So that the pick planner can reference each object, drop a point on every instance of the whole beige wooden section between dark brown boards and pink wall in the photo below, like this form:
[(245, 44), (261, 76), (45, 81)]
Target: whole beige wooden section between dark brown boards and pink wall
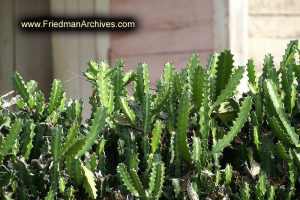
[(72, 51)]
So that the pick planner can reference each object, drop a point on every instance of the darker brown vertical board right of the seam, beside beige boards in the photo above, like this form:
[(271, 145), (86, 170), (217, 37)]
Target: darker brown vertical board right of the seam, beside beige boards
[(33, 49)]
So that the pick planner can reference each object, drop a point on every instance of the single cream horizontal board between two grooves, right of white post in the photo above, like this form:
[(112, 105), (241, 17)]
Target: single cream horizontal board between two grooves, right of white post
[(274, 26)]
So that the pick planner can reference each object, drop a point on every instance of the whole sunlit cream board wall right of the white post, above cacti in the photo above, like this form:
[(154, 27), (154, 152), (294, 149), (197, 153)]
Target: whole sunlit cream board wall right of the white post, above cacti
[(272, 24)]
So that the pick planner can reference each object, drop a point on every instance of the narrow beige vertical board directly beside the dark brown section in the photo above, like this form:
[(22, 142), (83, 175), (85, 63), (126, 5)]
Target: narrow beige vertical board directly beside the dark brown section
[(66, 50)]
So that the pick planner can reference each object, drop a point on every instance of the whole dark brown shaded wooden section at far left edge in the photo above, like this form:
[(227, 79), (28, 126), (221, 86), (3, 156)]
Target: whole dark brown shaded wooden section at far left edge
[(27, 53)]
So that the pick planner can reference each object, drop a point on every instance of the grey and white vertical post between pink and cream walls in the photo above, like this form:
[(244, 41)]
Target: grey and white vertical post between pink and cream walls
[(231, 28)]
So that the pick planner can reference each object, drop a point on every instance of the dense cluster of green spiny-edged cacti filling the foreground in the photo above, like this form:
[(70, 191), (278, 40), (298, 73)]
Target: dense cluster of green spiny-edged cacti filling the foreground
[(193, 137)]
